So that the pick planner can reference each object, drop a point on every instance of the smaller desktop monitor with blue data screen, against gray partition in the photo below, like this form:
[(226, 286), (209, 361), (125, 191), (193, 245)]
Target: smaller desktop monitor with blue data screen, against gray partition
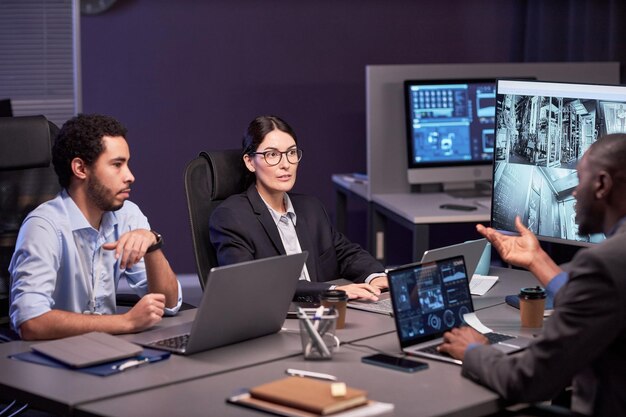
[(450, 131)]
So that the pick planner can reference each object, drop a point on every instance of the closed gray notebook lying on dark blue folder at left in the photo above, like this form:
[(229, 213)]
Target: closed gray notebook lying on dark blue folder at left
[(87, 349)]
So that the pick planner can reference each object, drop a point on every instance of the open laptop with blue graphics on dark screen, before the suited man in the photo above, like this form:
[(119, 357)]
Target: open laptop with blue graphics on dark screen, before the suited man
[(431, 298)]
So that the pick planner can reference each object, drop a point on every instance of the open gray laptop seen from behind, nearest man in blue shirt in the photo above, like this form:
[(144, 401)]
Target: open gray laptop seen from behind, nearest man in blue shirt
[(240, 301)]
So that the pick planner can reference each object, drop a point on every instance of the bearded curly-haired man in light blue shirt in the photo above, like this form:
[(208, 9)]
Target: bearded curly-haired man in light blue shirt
[(72, 250)]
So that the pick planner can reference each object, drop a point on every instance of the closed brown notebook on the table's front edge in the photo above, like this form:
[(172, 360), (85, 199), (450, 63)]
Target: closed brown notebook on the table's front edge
[(308, 394)]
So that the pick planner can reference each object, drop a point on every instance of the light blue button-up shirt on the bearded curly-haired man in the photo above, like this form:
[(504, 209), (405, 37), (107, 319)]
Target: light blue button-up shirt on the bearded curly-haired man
[(59, 263)]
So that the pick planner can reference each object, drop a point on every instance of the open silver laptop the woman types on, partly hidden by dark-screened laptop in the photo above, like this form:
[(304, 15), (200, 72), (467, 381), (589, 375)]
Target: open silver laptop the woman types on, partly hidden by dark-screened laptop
[(472, 251)]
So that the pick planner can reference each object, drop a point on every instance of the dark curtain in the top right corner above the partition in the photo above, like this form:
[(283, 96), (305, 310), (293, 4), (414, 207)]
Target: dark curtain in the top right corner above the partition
[(575, 30)]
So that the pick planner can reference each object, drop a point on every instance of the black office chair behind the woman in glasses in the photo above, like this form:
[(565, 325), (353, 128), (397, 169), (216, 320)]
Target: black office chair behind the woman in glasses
[(210, 178)]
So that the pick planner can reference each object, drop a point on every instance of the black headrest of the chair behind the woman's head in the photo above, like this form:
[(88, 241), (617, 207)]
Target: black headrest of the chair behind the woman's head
[(230, 175)]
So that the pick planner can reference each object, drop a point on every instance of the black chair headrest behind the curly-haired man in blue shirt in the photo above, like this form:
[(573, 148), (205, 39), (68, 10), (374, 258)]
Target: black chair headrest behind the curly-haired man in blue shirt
[(24, 142)]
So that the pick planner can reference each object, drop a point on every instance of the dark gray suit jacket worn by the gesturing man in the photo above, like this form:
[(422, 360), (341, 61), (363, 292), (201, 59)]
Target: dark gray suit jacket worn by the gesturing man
[(583, 342)]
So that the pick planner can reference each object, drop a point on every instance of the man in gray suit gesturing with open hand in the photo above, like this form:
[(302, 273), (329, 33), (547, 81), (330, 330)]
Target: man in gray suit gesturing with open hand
[(584, 341)]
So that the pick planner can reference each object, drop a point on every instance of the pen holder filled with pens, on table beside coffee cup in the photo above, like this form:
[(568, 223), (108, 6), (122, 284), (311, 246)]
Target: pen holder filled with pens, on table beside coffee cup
[(317, 332)]
